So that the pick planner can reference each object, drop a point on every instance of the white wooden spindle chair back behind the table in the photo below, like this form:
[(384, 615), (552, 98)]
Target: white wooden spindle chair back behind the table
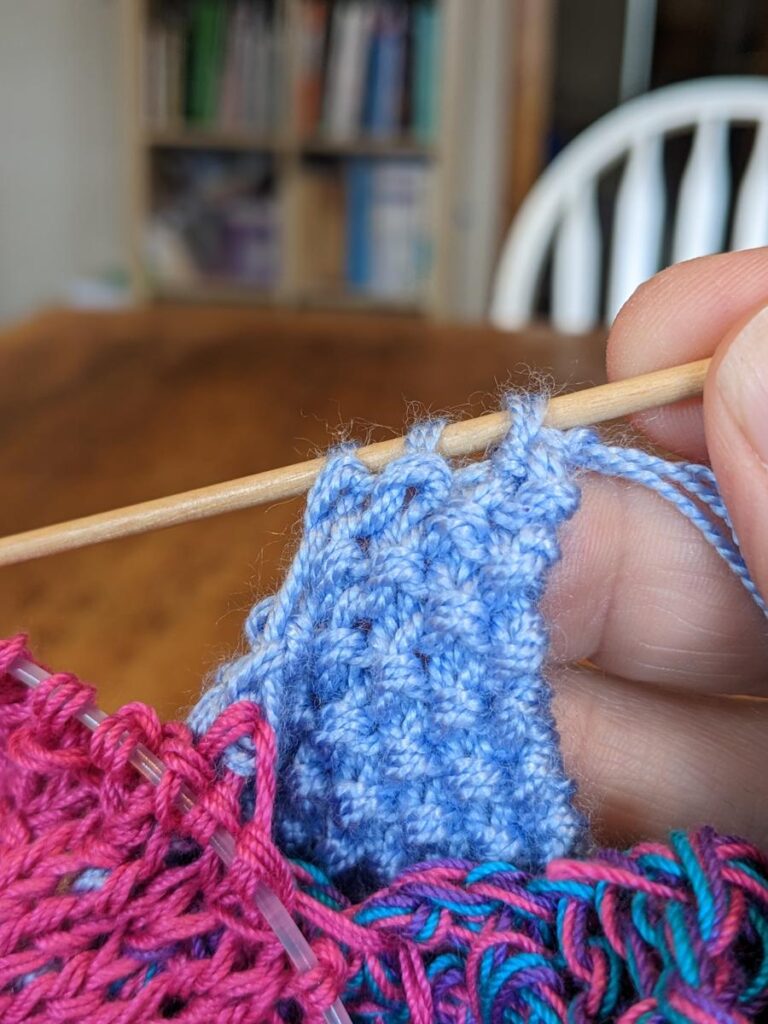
[(561, 215)]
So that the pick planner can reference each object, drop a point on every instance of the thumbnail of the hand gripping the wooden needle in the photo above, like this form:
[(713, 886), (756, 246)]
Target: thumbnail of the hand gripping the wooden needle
[(743, 382)]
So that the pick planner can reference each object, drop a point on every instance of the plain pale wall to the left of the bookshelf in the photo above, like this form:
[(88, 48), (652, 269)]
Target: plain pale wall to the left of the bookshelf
[(62, 173)]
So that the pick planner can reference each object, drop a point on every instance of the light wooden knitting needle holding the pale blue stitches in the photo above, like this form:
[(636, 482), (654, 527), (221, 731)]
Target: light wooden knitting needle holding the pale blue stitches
[(609, 402)]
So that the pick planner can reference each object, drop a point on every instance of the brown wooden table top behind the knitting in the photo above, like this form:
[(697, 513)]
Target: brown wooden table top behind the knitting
[(100, 410)]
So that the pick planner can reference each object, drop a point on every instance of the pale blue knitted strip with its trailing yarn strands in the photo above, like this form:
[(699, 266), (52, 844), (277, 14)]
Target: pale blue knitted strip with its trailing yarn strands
[(402, 662)]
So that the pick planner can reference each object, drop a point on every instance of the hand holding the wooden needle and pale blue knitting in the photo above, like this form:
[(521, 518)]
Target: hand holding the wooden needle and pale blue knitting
[(672, 731)]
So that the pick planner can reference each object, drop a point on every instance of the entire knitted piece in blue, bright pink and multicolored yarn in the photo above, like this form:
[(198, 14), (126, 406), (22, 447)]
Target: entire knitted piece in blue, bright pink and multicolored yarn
[(385, 757)]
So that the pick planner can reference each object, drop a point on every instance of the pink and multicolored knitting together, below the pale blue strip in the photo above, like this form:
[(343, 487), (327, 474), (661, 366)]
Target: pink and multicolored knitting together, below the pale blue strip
[(114, 910)]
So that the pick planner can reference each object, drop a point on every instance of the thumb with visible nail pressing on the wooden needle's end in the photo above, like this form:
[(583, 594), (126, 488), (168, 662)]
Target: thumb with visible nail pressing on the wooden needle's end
[(737, 426)]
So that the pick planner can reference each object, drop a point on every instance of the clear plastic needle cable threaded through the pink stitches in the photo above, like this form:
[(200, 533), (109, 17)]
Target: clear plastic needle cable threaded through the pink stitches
[(273, 911)]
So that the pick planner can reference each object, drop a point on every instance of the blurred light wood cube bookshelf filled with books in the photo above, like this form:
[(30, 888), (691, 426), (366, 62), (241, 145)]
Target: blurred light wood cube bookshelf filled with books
[(301, 153)]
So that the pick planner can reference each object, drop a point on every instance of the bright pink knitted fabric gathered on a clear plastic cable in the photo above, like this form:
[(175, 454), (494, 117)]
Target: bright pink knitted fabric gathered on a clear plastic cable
[(72, 804)]
